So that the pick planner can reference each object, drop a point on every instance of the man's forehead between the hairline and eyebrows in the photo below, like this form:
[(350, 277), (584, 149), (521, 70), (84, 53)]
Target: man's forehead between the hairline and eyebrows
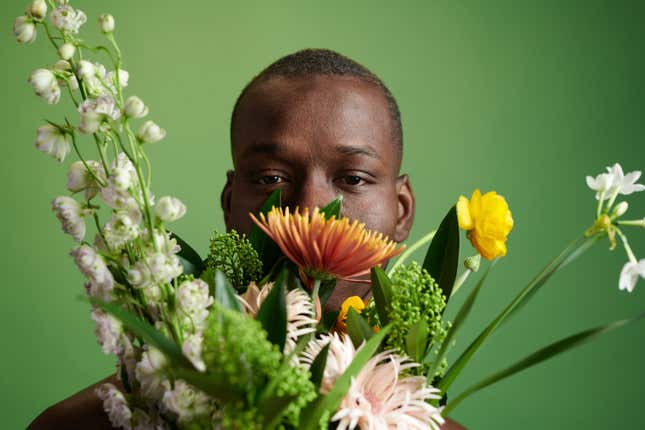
[(347, 114)]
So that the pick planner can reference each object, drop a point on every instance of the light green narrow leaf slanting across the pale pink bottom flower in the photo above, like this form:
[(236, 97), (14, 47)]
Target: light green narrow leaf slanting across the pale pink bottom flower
[(310, 416)]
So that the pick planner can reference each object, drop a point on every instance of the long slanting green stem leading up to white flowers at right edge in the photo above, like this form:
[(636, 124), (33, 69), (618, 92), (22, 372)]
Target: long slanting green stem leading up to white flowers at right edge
[(520, 299)]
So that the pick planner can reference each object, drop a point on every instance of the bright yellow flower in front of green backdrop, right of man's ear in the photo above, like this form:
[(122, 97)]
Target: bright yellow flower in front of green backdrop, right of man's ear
[(488, 221)]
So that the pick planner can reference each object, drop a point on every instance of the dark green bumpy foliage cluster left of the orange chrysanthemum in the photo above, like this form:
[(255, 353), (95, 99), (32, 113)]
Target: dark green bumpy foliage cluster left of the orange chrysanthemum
[(234, 256)]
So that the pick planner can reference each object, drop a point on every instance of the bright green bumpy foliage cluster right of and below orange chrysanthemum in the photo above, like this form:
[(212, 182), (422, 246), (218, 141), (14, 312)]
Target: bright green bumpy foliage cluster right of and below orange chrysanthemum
[(415, 297)]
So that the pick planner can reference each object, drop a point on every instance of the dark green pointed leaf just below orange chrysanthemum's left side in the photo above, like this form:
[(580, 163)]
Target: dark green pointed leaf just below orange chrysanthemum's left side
[(273, 312)]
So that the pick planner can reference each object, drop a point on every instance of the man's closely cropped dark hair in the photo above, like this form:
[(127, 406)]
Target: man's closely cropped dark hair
[(309, 62)]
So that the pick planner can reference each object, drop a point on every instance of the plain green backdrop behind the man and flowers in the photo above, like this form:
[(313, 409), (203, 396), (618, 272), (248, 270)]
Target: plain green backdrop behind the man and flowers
[(525, 98)]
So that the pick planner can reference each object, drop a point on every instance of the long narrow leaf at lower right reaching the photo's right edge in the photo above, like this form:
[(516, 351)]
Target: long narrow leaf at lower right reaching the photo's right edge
[(541, 355)]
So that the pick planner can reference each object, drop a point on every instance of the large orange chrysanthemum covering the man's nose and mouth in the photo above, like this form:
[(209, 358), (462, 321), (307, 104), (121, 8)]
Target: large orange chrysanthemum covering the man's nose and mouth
[(324, 248)]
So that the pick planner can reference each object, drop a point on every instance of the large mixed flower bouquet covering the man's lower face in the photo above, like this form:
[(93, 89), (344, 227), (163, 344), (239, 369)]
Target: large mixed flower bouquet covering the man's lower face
[(239, 339)]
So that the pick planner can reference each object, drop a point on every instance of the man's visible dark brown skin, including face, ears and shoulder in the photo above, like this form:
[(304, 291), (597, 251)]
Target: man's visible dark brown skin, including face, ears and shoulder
[(315, 138)]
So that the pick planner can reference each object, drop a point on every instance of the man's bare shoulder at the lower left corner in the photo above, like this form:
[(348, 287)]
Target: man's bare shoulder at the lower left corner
[(82, 410)]
